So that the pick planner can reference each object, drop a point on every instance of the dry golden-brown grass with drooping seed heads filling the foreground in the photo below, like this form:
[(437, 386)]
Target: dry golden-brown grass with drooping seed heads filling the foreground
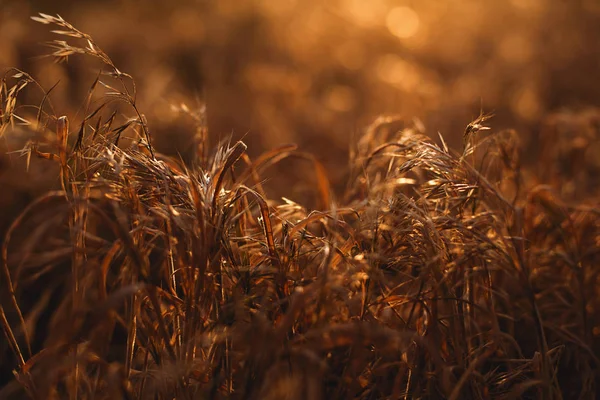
[(435, 275)]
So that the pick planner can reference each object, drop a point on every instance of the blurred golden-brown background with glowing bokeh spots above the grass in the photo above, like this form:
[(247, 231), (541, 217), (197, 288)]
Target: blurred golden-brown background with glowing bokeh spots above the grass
[(316, 73)]
